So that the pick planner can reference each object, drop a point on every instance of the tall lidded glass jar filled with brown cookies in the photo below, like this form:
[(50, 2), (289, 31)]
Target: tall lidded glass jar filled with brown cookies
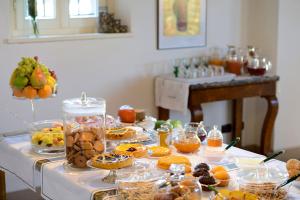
[(84, 129)]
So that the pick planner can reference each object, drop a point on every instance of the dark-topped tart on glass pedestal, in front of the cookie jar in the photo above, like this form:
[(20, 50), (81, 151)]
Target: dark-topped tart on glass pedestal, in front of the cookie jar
[(111, 161)]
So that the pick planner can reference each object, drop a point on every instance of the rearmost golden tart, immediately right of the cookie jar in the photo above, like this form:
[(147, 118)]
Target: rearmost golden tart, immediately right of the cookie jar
[(120, 133)]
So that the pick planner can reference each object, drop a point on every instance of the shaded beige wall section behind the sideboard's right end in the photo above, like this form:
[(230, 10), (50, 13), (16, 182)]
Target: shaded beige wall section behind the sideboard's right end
[(259, 29)]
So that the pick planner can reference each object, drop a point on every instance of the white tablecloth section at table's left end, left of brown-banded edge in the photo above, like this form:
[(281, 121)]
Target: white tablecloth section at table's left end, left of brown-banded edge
[(17, 157)]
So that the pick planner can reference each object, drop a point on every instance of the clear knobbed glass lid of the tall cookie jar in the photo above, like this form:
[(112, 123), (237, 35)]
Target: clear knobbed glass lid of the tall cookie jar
[(84, 106)]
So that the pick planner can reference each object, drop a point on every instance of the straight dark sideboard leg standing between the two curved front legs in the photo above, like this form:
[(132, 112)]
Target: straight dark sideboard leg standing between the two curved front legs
[(237, 120)]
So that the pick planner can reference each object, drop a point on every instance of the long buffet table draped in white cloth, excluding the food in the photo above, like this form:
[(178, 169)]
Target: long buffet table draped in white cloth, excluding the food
[(58, 181)]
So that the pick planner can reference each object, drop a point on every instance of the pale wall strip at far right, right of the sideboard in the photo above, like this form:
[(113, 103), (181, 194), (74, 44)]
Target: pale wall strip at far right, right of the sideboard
[(287, 125)]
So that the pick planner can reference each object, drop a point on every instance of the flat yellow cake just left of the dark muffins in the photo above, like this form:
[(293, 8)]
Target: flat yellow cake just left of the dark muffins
[(166, 161)]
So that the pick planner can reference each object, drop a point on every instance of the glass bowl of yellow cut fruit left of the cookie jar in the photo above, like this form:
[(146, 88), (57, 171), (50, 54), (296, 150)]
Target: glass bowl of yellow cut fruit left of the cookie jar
[(47, 137)]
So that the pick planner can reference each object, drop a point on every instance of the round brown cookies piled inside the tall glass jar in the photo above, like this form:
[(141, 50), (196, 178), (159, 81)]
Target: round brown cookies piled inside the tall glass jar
[(82, 144)]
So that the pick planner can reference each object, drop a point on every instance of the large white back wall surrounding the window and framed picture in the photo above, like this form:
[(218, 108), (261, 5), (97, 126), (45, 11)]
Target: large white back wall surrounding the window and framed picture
[(119, 70)]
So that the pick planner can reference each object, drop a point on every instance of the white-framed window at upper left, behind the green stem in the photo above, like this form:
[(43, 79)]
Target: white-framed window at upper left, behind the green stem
[(56, 17)]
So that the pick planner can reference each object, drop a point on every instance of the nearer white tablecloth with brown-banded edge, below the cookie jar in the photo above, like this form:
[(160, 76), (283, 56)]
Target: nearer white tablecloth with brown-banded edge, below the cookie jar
[(60, 182)]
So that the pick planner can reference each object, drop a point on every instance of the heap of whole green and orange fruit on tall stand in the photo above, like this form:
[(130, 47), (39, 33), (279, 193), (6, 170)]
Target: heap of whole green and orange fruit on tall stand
[(33, 80)]
